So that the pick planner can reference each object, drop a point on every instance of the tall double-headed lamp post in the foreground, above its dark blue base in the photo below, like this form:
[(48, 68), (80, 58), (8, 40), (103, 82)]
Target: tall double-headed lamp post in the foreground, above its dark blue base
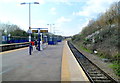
[(29, 30)]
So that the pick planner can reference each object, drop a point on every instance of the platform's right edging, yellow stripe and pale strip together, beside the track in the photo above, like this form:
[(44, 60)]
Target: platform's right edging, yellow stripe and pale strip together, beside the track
[(71, 70)]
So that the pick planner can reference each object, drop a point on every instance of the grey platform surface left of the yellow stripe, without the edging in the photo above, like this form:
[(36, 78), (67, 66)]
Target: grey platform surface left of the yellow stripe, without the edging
[(40, 66)]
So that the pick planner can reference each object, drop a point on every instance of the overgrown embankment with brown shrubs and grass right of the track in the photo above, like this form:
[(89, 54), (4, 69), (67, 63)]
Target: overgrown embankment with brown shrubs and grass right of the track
[(102, 37)]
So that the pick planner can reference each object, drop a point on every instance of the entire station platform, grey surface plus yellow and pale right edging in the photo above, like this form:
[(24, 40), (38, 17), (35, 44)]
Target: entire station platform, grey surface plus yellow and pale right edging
[(54, 63)]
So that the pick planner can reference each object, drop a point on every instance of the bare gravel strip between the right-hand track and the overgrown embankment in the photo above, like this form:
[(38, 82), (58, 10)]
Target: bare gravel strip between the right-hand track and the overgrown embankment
[(100, 63)]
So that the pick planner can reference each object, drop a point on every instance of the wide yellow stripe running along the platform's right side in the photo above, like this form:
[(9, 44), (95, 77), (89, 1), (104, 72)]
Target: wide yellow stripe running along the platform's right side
[(65, 73)]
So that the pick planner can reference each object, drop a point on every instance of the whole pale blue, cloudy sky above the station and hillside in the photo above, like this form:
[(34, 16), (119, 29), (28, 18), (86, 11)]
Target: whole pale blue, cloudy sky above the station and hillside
[(69, 16)]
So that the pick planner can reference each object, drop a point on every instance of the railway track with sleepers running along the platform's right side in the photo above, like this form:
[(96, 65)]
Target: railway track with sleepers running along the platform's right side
[(94, 73)]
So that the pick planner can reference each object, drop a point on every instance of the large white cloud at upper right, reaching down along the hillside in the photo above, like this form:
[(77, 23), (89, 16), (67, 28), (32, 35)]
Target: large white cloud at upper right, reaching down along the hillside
[(91, 9)]
